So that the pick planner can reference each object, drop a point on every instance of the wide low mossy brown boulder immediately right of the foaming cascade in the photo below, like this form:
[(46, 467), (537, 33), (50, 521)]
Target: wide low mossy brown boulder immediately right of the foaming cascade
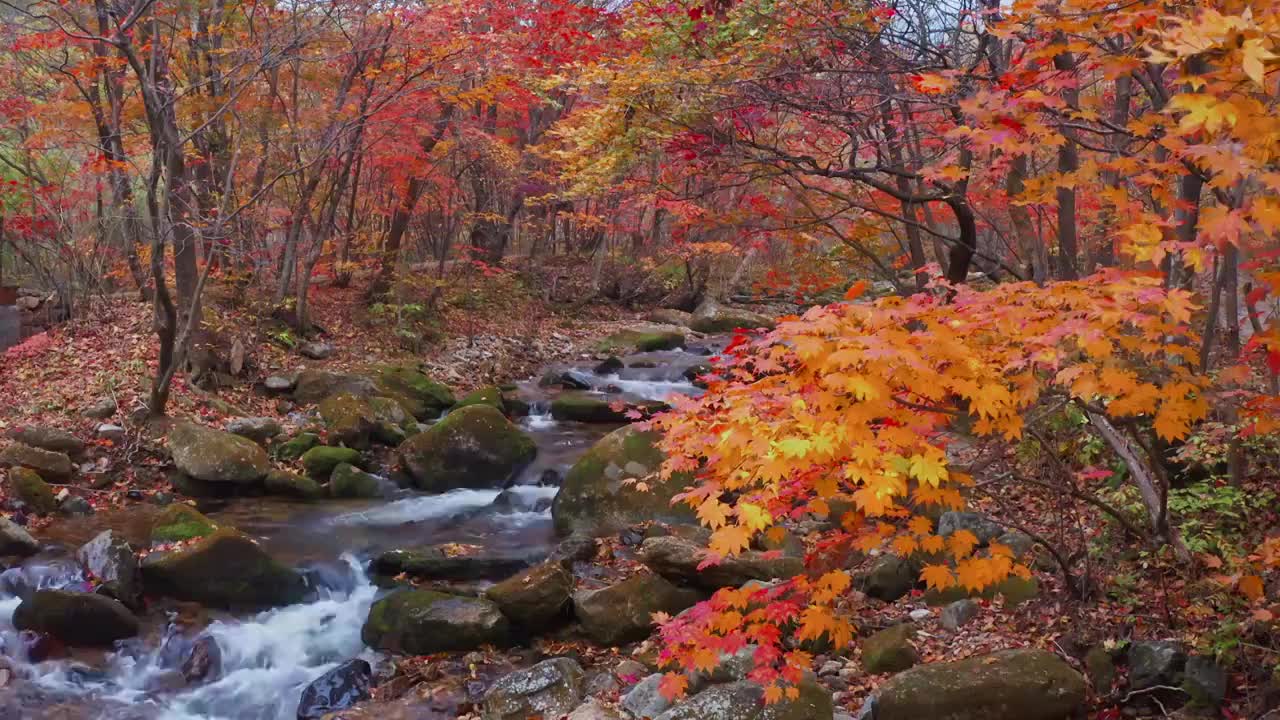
[(418, 622)]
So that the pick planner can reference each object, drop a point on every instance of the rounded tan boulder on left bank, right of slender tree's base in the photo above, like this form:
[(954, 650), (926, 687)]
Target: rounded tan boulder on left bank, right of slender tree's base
[(217, 457)]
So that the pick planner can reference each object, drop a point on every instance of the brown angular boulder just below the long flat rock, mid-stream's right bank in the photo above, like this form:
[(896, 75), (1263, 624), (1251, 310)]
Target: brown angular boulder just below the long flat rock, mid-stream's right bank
[(624, 613)]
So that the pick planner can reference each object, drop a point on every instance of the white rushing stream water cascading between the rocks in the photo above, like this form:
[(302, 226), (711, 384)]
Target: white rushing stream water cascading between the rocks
[(269, 658)]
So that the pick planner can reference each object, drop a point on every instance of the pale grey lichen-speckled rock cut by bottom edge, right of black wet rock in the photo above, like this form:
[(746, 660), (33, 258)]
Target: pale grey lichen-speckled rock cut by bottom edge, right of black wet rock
[(548, 690)]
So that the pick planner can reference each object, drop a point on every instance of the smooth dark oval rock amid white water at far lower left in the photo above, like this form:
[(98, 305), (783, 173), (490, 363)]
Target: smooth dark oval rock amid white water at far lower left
[(76, 618)]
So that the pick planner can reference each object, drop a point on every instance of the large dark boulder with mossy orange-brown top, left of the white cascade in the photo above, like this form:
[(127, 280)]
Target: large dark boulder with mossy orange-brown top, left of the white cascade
[(223, 569)]
